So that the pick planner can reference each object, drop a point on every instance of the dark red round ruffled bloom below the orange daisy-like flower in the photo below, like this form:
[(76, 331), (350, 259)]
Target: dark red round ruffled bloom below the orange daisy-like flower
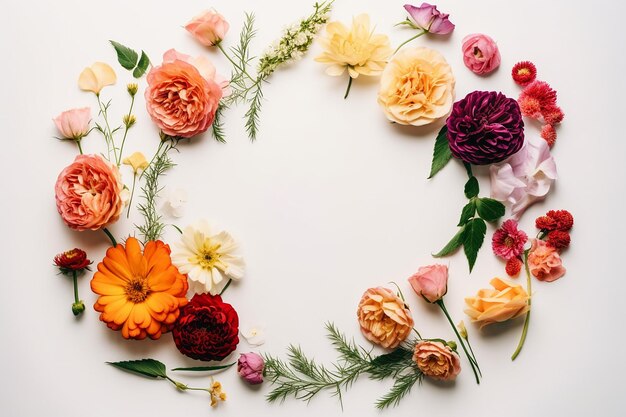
[(207, 329)]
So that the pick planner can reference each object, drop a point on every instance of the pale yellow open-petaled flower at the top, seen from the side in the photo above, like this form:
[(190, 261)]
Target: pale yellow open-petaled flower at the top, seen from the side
[(358, 49)]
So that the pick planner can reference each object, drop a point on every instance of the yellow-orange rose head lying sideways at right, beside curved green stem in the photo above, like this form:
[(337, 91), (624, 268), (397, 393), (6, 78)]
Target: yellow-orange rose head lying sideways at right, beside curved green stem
[(505, 302)]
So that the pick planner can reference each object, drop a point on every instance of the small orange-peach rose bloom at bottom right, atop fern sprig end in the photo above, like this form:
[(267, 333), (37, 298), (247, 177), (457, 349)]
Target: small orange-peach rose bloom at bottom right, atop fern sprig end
[(436, 360)]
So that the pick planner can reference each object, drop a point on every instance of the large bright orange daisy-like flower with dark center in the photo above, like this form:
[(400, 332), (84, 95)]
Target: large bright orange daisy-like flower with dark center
[(140, 293)]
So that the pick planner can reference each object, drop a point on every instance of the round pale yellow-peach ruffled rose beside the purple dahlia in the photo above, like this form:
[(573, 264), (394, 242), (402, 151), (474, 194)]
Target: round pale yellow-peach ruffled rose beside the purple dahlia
[(416, 87)]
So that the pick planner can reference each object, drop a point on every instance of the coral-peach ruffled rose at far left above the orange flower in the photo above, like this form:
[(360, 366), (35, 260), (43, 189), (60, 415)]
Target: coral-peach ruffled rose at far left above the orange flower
[(89, 193)]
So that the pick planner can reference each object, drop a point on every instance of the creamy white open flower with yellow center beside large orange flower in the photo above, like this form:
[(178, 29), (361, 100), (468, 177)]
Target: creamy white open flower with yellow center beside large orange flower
[(205, 254)]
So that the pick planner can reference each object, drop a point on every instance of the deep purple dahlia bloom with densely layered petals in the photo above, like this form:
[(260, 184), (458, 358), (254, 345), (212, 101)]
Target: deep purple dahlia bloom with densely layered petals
[(485, 127)]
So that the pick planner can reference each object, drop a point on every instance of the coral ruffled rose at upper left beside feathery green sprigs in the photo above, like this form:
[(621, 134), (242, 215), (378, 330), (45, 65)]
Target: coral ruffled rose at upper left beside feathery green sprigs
[(183, 94)]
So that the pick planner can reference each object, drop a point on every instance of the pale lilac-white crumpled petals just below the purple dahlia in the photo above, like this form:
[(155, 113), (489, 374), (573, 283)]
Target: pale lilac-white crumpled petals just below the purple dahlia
[(524, 178)]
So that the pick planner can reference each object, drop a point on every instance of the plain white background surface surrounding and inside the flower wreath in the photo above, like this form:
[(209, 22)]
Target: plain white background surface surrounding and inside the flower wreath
[(330, 200)]
